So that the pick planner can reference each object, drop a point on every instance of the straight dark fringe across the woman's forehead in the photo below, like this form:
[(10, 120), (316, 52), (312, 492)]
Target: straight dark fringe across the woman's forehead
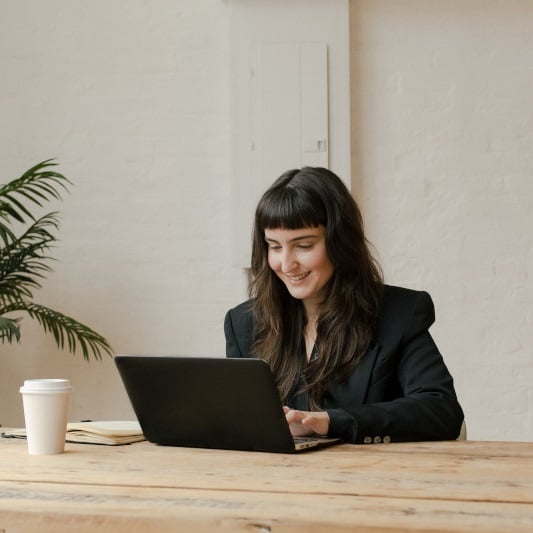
[(289, 208)]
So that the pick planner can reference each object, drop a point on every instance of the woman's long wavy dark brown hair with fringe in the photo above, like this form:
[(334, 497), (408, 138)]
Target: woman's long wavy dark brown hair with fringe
[(313, 197)]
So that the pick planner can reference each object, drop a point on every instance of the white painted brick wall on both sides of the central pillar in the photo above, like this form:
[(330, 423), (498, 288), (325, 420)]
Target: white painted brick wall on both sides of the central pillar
[(132, 97)]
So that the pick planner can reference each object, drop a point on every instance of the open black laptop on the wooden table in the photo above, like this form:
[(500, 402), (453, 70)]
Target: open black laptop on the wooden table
[(209, 403)]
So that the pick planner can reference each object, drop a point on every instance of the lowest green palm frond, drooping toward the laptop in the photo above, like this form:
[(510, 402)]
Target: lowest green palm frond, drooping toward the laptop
[(67, 332)]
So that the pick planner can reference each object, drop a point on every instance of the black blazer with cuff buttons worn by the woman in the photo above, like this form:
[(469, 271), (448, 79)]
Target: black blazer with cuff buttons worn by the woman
[(400, 391)]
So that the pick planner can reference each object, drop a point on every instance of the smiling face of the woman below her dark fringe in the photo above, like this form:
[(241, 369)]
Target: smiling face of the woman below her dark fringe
[(299, 259)]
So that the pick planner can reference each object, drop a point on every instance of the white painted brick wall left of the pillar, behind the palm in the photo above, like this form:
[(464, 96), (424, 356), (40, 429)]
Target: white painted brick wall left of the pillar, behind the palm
[(132, 98)]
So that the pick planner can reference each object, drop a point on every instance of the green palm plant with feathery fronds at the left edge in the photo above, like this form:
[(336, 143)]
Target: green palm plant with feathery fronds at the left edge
[(25, 242)]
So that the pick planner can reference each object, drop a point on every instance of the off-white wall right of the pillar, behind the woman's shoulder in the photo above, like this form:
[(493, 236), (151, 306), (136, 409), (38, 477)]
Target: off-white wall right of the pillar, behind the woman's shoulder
[(442, 162)]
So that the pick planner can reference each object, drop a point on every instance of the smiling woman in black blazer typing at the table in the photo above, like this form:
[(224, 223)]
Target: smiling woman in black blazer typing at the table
[(351, 356)]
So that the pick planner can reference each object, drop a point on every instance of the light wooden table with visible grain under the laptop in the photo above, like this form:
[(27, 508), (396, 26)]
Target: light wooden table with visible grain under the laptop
[(442, 486)]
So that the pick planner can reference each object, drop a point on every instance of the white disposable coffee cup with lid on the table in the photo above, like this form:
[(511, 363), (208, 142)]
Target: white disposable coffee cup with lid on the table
[(46, 404)]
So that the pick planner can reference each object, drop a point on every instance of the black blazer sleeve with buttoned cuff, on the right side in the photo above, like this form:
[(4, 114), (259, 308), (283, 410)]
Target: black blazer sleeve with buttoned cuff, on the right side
[(409, 392)]
